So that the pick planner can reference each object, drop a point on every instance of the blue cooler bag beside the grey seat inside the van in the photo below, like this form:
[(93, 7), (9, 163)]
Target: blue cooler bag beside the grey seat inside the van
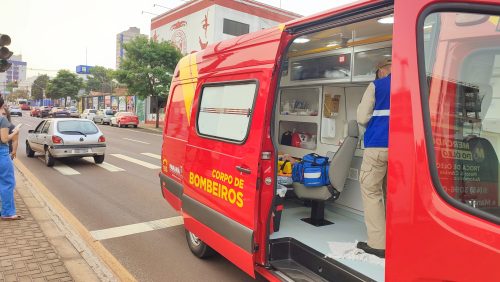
[(312, 171)]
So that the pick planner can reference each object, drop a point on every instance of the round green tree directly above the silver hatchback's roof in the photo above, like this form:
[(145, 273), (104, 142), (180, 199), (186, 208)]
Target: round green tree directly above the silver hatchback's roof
[(65, 84)]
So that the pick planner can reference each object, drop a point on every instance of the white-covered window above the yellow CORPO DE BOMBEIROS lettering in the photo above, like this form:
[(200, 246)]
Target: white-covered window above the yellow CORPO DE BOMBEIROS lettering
[(225, 111)]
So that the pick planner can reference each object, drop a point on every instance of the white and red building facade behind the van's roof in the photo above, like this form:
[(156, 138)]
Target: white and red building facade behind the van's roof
[(196, 24)]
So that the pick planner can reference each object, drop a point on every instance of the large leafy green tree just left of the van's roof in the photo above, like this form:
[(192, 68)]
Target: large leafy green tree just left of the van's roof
[(147, 68)]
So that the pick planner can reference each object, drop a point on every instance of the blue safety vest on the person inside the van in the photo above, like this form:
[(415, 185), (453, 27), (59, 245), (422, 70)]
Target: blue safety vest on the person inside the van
[(377, 131)]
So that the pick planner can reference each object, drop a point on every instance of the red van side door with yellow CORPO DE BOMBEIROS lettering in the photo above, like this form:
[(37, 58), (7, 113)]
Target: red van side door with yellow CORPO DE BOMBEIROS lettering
[(222, 172)]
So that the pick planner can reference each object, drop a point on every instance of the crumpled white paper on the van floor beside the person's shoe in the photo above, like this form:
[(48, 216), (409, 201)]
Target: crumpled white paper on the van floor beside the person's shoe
[(348, 250)]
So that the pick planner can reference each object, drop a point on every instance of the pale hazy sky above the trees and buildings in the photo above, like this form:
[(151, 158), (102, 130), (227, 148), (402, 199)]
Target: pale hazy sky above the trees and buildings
[(61, 34)]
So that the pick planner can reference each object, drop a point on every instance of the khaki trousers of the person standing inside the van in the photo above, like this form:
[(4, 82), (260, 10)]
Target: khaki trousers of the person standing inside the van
[(373, 172)]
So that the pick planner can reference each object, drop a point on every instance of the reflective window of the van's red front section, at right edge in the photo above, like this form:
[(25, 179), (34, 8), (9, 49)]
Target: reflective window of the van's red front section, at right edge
[(462, 87)]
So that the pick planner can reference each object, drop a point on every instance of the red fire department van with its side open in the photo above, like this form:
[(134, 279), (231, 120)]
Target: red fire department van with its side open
[(232, 107)]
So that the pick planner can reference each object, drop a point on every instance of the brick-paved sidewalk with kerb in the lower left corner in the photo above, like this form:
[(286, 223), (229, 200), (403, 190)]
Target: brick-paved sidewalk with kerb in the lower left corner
[(34, 249)]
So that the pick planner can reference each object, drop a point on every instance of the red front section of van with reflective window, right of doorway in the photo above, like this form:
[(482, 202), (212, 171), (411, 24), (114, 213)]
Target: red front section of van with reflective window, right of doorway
[(443, 210)]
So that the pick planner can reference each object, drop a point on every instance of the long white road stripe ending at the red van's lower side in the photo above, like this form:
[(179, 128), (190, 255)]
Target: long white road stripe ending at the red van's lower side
[(131, 229)]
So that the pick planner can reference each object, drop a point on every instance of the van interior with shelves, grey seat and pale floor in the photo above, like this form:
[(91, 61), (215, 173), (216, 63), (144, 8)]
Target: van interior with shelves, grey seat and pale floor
[(323, 79)]
